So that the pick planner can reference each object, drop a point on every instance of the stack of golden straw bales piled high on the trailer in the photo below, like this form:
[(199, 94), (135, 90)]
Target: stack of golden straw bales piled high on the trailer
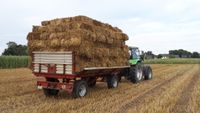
[(95, 44)]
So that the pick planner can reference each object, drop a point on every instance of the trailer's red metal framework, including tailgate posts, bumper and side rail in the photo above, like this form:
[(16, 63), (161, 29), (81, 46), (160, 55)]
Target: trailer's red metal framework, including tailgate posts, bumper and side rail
[(68, 79)]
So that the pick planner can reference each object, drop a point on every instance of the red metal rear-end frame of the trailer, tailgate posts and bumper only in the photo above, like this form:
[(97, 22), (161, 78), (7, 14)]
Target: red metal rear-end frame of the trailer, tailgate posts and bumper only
[(65, 85)]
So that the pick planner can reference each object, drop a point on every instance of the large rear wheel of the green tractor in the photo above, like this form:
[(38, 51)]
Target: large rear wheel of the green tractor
[(136, 74)]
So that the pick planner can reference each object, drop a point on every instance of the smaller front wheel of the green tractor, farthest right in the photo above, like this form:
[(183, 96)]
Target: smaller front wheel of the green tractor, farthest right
[(148, 74)]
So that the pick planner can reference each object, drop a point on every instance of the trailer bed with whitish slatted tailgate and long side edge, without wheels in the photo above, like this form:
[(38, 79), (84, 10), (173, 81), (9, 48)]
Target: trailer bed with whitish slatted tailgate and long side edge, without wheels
[(63, 64)]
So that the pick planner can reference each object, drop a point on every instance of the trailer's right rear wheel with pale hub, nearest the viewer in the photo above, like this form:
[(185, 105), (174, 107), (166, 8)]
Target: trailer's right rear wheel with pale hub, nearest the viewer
[(80, 89)]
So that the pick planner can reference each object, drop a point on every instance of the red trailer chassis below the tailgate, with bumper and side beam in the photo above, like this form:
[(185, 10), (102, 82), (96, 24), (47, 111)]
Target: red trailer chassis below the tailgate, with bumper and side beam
[(68, 80)]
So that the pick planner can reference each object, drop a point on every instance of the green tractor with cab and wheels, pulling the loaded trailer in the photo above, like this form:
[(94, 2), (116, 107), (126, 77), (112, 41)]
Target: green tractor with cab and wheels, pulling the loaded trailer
[(137, 71)]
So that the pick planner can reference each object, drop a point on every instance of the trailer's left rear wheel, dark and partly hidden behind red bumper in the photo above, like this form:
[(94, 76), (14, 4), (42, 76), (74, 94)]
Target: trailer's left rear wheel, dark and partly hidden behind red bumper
[(51, 92)]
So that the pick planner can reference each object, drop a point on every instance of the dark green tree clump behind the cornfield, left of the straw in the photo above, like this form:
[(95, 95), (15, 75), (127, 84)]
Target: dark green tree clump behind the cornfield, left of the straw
[(15, 49)]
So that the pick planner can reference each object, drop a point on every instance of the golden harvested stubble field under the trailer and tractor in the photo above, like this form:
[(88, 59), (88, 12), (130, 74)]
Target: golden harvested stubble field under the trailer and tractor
[(174, 89)]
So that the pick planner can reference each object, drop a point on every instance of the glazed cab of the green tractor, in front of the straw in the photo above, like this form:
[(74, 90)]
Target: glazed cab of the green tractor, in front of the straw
[(134, 56)]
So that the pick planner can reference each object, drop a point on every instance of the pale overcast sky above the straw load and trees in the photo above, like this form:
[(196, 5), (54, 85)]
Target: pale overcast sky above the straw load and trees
[(156, 25)]
